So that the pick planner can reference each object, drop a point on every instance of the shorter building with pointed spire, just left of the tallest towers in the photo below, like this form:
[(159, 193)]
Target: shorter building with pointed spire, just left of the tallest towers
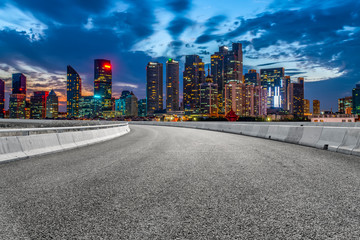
[(209, 97)]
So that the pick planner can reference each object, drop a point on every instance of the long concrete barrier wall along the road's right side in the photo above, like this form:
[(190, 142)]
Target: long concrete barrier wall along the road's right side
[(334, 137)]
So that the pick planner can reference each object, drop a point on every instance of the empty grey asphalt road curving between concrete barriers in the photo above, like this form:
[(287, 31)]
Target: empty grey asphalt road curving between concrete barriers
[(177, 183)]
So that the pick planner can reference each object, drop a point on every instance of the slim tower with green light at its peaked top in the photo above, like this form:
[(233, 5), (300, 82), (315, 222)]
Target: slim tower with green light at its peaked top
[(172, 85)]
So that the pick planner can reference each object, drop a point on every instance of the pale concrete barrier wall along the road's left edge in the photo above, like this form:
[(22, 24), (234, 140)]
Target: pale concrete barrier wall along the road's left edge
[(17, 147)]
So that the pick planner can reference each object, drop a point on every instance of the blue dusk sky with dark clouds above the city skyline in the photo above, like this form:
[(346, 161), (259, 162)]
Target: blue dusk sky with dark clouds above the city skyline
[(317, 40)]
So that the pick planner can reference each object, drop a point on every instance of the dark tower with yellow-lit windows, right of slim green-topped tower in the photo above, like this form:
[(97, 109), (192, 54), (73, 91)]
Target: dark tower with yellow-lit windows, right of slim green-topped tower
[(193, 76)]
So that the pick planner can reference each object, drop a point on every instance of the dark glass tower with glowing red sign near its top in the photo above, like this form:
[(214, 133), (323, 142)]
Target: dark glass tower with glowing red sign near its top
[(103, 83)]
